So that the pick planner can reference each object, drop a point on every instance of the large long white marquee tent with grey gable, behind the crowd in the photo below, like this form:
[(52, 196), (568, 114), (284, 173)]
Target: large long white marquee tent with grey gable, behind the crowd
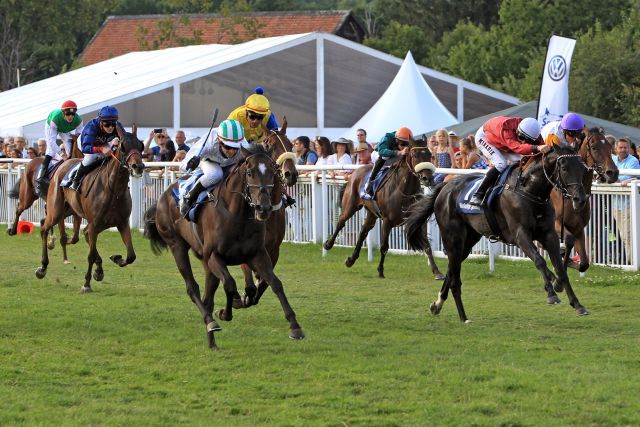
[(321, 82)]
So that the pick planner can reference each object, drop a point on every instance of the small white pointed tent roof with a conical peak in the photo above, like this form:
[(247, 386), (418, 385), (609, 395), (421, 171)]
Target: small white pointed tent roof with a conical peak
[(408, 101)]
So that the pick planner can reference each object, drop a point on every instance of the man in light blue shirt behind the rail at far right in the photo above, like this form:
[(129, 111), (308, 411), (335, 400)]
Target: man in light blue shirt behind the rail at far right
[(621, 209)]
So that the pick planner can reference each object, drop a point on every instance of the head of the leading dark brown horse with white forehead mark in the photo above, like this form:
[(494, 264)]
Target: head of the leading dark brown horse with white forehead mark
[(262, 188)]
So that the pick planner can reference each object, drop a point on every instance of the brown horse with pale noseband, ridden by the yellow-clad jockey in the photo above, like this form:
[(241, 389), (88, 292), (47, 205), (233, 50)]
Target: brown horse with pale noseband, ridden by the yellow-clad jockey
[(281, 152)]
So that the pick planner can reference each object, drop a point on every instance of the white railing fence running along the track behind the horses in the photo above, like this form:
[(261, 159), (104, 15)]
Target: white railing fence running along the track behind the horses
[(613, 237)]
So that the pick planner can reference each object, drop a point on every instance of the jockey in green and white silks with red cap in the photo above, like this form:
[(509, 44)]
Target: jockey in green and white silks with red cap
[(64, 122)]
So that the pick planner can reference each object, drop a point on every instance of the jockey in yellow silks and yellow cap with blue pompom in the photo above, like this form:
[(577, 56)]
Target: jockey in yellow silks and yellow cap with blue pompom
[(255, 116)]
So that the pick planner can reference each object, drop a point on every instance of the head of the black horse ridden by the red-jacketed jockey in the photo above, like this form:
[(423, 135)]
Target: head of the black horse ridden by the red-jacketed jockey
[(564, 169)]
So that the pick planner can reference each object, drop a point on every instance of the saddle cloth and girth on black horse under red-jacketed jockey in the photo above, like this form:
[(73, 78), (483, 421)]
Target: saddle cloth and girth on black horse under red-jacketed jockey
[(463, 206)]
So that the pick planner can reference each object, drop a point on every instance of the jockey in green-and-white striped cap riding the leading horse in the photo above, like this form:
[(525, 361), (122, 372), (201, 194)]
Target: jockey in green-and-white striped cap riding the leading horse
[(219, 152)]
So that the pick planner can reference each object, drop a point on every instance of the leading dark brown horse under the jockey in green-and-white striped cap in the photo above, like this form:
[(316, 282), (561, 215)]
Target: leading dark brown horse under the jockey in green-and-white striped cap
[(230, 230)]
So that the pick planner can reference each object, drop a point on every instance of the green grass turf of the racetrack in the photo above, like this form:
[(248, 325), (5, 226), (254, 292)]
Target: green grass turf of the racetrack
[(134, 351)]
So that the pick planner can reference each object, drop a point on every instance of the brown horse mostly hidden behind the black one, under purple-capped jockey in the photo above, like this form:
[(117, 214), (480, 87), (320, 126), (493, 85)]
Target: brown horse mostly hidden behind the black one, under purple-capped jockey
[(595, 152)]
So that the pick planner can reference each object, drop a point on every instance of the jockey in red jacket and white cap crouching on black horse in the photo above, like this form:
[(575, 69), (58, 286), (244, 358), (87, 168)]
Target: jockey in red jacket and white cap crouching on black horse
[(505, 138)]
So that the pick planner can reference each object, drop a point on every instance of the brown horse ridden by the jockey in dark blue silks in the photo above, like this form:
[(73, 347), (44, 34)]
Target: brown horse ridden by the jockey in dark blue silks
[(103, 200)]
